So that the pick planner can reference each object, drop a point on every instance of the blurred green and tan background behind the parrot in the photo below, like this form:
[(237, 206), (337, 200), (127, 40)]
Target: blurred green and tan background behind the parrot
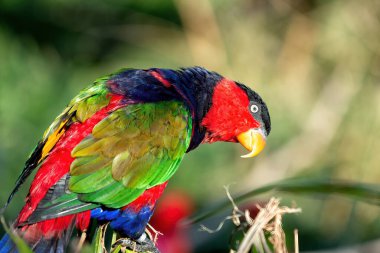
[(316, 64)]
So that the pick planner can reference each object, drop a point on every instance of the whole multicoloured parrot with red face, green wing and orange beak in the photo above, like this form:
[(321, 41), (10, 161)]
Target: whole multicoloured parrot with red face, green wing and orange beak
[(109, 155)]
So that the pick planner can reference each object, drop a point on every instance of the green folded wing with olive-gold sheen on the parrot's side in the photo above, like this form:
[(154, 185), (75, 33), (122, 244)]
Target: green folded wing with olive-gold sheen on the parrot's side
[(133, 149)]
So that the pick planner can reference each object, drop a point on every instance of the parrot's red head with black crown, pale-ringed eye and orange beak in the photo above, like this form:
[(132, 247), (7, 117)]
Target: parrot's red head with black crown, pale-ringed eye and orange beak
[(237, 114)]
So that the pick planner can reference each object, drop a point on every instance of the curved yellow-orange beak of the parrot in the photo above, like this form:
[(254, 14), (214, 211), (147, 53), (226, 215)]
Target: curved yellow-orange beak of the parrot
[(254, 140)]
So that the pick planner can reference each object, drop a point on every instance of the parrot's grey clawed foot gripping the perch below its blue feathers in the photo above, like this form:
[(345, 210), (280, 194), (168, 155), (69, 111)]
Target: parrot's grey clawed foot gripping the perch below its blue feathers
[(141, 245)]
